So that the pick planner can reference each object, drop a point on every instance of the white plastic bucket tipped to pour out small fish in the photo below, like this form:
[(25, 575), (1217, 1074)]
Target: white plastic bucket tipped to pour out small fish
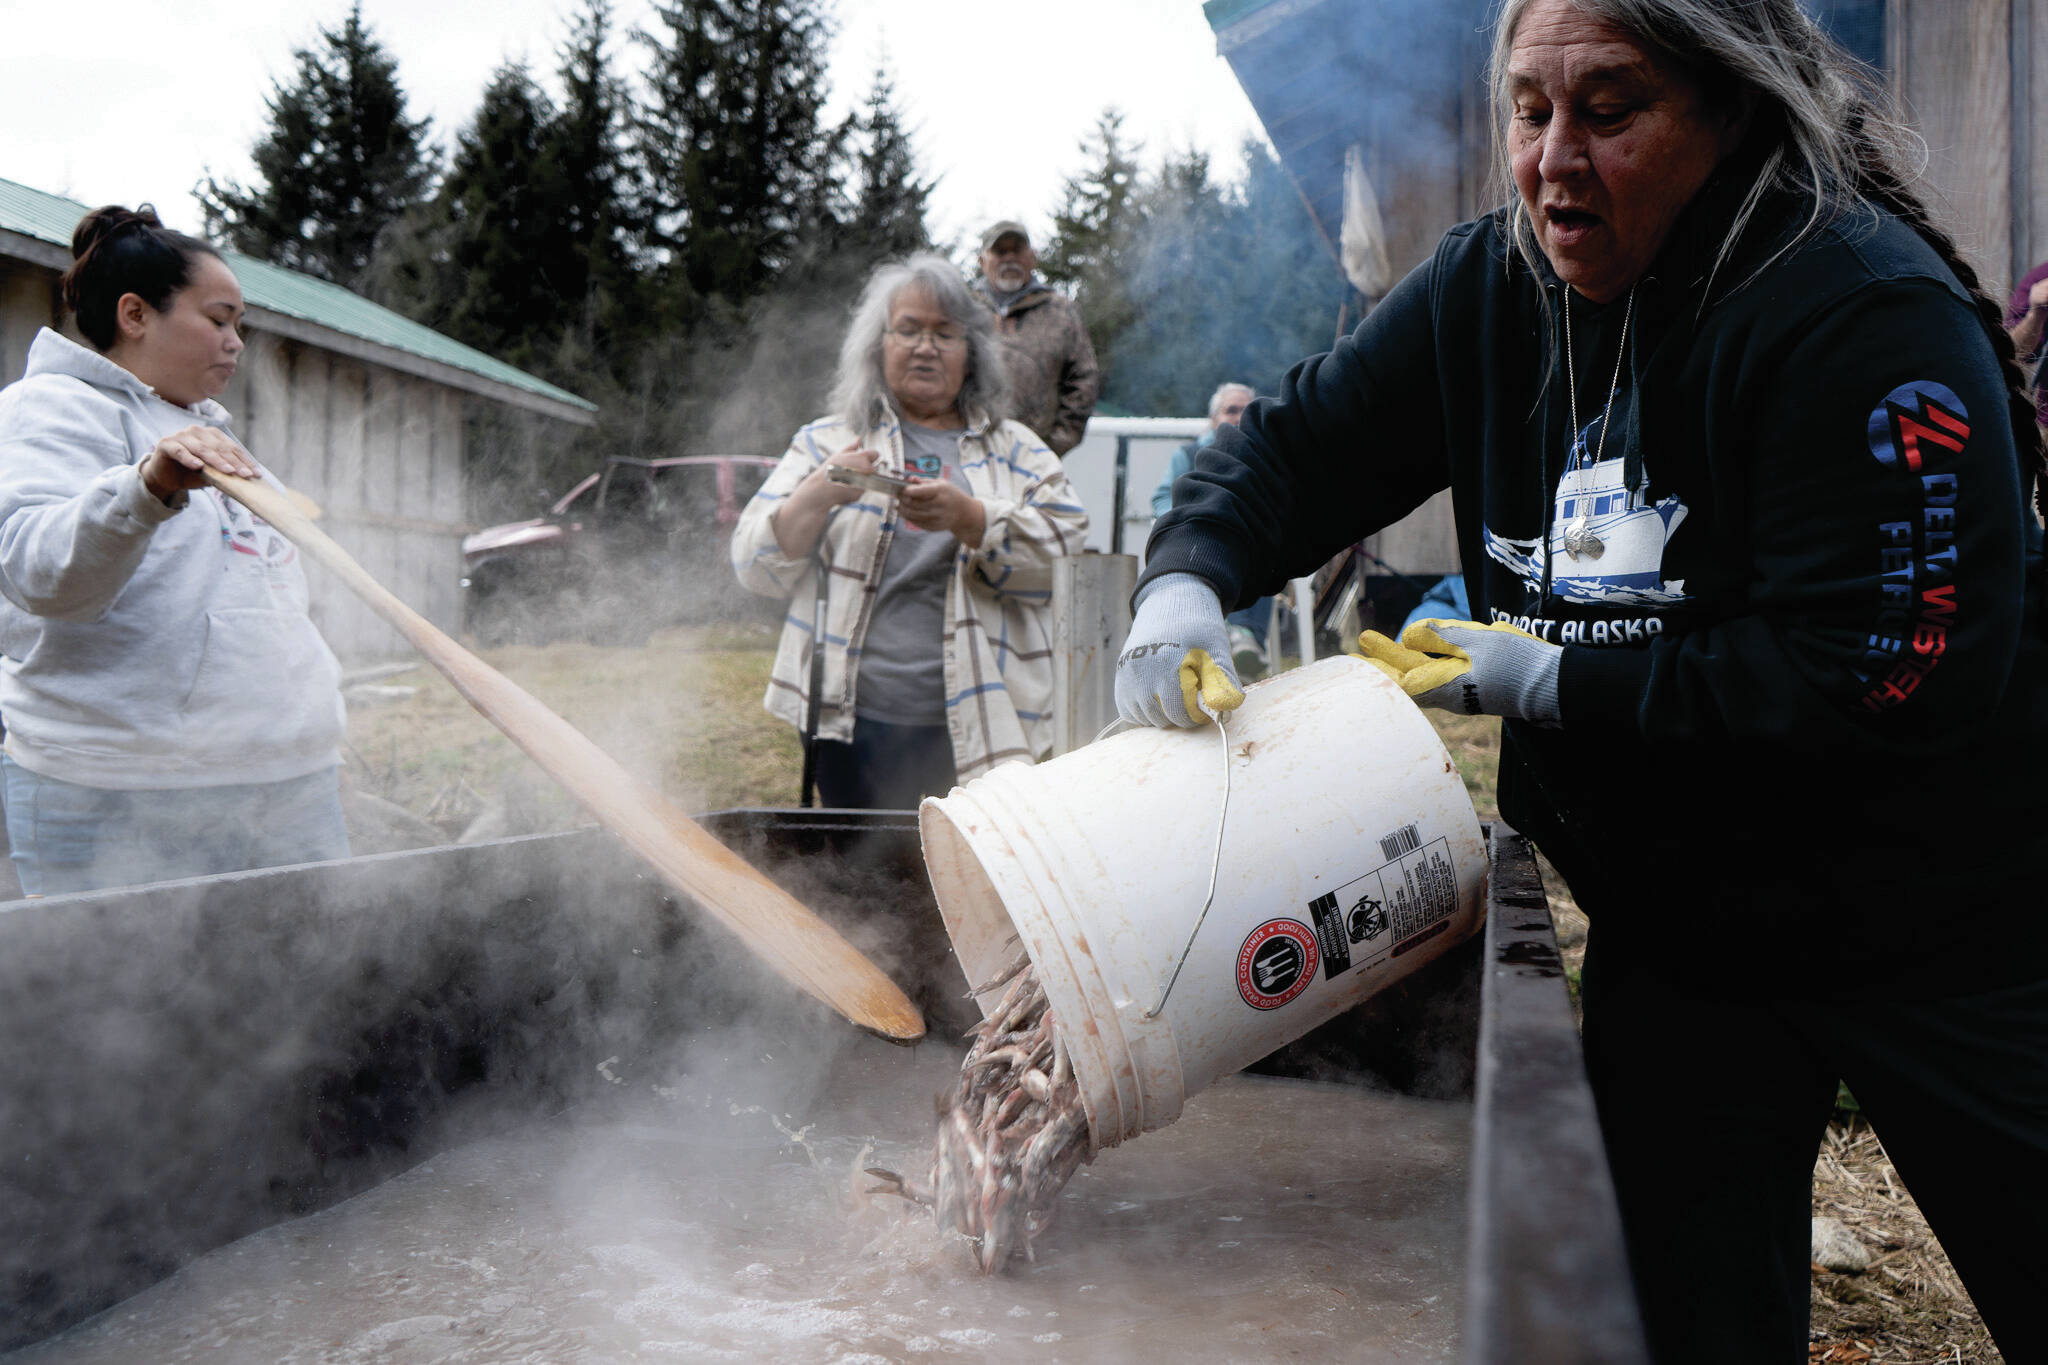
[(1351, 858)]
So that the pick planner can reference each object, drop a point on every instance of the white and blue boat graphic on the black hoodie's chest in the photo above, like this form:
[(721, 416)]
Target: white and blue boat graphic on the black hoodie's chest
[(1607, 543)]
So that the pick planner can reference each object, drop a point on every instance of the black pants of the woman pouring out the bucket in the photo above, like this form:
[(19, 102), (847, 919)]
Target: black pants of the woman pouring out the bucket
[(1713, 1112)]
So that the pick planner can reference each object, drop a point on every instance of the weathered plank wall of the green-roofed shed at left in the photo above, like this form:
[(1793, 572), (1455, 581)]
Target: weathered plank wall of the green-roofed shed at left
[(382, 453)]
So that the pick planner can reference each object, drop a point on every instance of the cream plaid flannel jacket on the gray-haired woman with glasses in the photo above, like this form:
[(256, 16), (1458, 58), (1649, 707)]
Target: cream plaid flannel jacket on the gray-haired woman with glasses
[(998, 650)]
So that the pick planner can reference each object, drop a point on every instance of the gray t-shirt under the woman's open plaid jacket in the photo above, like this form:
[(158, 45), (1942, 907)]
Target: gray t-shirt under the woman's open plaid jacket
[(902, 658)]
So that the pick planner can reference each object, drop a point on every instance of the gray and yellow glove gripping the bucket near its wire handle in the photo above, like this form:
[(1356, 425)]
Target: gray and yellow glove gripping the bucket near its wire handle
[(1177, 658)]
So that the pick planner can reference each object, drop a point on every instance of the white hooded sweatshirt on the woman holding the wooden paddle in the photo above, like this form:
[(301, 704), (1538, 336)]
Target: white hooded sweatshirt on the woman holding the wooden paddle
[(140, 646)]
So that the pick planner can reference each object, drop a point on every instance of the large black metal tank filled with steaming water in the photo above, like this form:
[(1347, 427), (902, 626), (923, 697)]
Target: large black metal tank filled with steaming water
[(511, 1102)]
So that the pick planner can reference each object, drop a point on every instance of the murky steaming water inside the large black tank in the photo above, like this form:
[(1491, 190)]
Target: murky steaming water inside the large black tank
[(714, 1221)]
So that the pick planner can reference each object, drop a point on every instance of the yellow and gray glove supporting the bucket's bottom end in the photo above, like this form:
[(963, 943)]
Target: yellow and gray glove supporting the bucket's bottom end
[(1480, 670)]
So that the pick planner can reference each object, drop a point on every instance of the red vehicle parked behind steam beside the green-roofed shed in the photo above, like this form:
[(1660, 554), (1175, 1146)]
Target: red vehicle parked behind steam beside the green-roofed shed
[(634, 547)]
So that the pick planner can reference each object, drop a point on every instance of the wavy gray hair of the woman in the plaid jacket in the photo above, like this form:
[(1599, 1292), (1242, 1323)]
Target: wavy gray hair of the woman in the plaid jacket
[(861, 392)]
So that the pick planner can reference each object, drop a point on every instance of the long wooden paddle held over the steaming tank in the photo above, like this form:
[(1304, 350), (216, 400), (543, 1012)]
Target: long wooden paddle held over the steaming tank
[(790, 938)]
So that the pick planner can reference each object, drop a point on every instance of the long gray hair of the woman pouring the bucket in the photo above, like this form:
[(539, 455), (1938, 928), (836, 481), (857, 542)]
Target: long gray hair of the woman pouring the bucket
[(1834, 136)]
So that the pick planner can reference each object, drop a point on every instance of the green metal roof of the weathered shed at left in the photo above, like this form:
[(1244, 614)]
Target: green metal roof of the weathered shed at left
[(288, 294)]
